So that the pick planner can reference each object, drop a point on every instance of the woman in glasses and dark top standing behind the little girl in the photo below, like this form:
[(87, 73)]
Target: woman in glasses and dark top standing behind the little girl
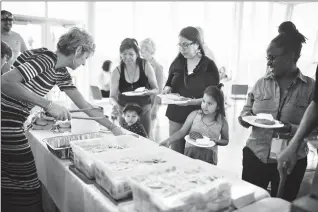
[(189, 74)]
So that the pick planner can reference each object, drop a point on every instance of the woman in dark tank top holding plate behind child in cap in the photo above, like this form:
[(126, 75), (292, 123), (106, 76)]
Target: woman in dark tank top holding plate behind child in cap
[(133, 73)]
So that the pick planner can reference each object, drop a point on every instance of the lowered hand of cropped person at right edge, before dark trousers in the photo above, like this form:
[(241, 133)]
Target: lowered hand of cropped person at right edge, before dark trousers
[(287, 159)]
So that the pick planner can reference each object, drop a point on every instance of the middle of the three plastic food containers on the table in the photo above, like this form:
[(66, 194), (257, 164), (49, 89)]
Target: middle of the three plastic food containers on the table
[(112, 170)]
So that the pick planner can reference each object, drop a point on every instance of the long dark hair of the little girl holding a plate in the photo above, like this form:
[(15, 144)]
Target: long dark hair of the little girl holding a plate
[(217, 94)]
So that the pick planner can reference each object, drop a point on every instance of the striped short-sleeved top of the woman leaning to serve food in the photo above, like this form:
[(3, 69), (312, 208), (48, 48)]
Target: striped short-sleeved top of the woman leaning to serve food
[(37, 68)]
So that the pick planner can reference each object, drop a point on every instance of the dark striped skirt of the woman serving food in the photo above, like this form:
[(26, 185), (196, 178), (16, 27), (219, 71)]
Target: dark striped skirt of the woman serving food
[(20, 186)]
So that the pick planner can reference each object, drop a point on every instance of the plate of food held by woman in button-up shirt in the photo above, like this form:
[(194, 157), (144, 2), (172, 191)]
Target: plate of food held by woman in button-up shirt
[(263, 120)]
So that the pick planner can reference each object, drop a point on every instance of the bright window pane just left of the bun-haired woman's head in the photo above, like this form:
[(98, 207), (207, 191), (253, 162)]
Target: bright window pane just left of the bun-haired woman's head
[(259, 26)]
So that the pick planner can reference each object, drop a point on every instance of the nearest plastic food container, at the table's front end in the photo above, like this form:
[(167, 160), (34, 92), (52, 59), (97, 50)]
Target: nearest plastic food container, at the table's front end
[(179, 190)]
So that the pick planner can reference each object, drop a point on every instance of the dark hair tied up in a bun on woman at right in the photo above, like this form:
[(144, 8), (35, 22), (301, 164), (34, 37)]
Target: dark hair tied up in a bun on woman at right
[(290, 39)]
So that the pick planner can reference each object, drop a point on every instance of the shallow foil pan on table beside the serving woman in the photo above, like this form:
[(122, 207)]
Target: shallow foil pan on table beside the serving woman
[(60, 145)]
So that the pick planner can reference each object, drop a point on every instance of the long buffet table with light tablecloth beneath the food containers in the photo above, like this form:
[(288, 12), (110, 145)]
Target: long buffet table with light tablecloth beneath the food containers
[(70, 193)]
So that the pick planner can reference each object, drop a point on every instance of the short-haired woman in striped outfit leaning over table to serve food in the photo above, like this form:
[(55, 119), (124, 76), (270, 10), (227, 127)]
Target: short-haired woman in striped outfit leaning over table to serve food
[(35, 73)]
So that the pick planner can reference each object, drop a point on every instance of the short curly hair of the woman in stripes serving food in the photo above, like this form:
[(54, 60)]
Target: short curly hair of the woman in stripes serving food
[(74, 38)]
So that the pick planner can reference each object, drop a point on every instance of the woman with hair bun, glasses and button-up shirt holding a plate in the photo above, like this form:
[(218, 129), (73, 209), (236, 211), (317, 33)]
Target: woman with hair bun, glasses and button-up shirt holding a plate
[(285, 93)]
